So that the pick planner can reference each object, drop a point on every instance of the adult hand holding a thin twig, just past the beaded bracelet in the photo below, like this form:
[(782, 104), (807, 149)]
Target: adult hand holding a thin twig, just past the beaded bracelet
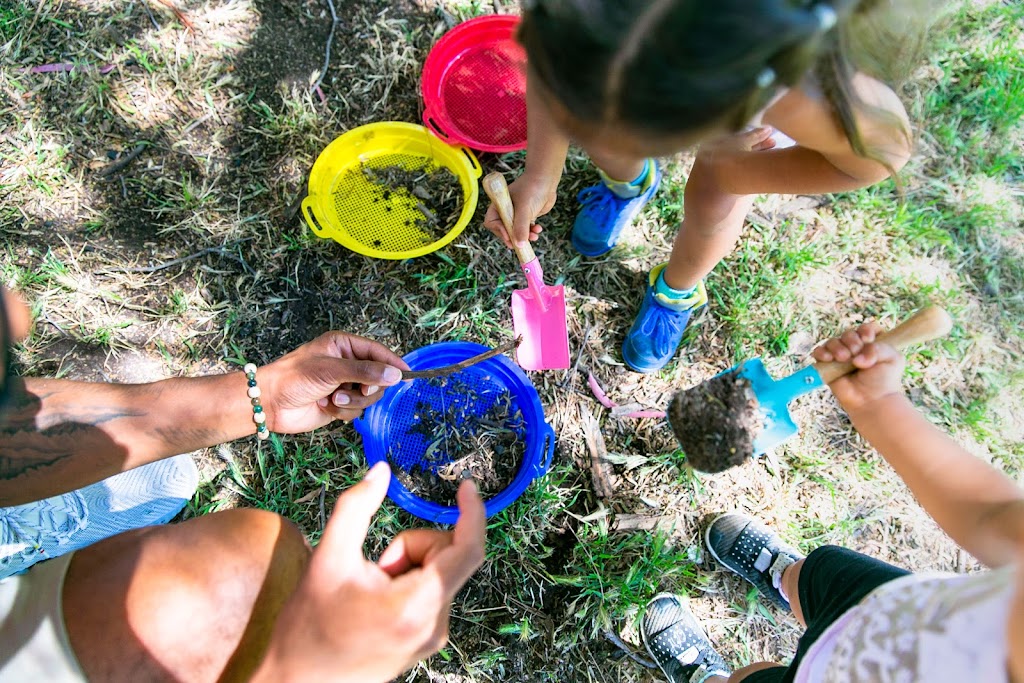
[(333, 377)]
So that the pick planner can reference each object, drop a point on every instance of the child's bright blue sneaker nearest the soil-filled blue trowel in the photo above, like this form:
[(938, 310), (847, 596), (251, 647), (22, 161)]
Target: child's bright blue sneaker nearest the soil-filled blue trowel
[(659, 327)]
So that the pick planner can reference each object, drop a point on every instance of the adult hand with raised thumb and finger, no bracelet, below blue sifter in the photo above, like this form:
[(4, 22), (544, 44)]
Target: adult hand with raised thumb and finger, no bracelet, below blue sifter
[(353, 621)]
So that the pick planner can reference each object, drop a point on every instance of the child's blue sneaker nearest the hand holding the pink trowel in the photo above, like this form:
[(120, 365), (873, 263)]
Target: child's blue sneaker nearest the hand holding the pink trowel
[(604, 215)]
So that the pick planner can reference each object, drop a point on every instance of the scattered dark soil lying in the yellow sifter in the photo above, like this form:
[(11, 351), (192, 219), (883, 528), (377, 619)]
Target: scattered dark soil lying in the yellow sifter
[(434, 192)]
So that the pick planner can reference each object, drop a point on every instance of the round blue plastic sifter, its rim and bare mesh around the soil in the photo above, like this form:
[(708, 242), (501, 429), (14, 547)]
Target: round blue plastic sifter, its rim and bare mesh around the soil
[(386, 426)]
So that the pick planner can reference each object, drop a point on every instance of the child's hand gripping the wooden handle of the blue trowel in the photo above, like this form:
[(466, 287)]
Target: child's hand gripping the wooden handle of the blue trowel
[(880, 367)]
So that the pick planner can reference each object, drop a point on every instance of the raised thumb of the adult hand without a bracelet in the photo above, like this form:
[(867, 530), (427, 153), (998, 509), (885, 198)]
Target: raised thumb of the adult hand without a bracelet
[(342, 545)]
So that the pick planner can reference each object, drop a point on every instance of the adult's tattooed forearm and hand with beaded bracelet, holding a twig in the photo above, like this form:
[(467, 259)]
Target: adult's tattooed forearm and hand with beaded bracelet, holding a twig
[(62, 435)]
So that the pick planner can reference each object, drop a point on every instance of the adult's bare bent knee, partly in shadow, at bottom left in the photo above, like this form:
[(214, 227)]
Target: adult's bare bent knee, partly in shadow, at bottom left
[(183, 602)]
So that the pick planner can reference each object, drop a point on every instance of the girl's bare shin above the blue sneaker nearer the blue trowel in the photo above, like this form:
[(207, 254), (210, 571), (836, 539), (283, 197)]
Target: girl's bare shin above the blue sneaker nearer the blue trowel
[(712, 224)]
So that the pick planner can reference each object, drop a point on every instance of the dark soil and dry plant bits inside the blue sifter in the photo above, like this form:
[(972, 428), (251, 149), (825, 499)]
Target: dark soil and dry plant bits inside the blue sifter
[(487, 448)]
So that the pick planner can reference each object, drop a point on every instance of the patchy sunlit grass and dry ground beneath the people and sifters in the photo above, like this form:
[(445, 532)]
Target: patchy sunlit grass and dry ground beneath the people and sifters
[(190, 262)]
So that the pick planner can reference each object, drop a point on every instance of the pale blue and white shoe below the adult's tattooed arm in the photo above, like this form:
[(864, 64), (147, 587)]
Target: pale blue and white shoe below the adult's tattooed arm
[(149, 495)]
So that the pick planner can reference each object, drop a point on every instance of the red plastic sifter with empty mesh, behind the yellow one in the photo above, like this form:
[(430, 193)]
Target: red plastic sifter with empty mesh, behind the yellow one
[(475, 86)]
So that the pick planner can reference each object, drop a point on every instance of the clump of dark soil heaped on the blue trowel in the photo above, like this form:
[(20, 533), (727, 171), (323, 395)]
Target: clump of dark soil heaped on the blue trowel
[(717, 422)]
